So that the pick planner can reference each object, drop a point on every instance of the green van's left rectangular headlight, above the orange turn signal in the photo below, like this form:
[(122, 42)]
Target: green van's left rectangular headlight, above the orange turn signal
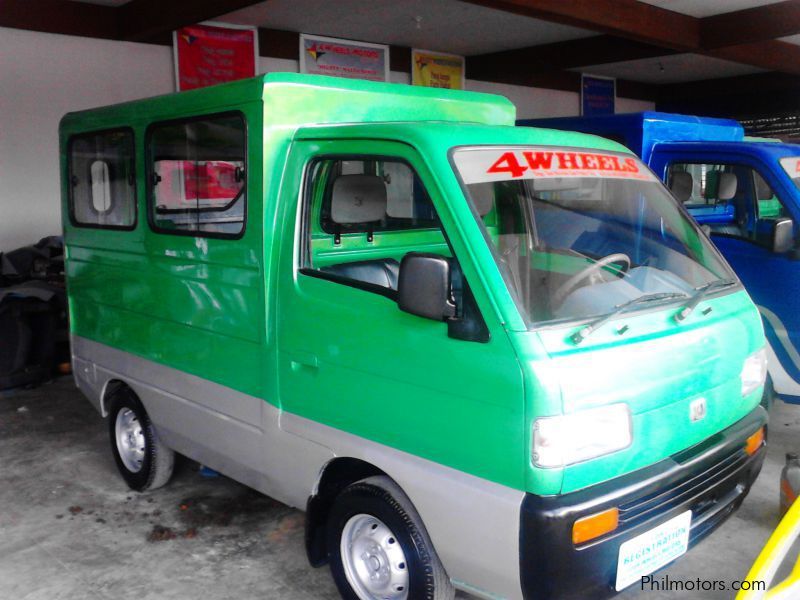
[(568, 439)]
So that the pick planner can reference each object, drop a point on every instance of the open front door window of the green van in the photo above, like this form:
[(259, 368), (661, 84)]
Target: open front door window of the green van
[(361, 216)]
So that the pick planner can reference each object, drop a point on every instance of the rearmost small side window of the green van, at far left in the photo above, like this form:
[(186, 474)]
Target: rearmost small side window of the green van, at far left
[(102, 184)]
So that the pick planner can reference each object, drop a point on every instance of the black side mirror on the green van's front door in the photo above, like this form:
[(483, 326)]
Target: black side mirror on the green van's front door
[(424, 287)]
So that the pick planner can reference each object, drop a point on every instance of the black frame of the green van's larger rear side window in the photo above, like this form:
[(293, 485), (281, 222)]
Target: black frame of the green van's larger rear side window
[(150, 170)]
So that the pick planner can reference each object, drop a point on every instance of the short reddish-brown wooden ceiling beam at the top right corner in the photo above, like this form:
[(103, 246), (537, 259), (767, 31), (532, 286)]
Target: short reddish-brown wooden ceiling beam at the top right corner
[(750, 25)]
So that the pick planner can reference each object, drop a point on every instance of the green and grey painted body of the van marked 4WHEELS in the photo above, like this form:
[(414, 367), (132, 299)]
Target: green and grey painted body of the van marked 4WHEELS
[(271, 376)]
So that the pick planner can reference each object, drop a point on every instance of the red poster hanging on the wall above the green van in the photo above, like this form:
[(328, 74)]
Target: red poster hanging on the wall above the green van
[(210, 54)]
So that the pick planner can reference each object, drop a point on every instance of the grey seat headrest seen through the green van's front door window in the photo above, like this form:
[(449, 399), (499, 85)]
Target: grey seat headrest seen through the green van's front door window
[(358, 199)]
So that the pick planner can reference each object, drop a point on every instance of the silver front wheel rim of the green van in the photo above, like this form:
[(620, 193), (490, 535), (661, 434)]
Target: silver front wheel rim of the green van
[(374, 563)]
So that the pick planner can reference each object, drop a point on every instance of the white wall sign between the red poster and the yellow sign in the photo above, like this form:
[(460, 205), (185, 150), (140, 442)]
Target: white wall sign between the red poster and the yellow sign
[(343, 58)]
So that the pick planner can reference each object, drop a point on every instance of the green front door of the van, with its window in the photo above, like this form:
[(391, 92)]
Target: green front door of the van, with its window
[(348, 357)]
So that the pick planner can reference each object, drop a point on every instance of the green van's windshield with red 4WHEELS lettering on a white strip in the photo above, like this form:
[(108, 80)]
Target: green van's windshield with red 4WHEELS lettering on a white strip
[(579, 233)]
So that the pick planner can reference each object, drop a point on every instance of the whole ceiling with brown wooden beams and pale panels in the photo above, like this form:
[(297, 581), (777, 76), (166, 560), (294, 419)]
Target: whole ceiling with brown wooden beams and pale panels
[(648, 45)]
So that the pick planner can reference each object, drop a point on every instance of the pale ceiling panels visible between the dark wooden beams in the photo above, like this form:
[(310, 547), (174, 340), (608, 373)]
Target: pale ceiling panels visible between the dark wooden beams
[(471, 29)]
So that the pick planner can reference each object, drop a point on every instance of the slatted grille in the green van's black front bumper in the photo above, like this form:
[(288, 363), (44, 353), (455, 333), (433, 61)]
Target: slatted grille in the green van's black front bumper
[(661, 501)]
